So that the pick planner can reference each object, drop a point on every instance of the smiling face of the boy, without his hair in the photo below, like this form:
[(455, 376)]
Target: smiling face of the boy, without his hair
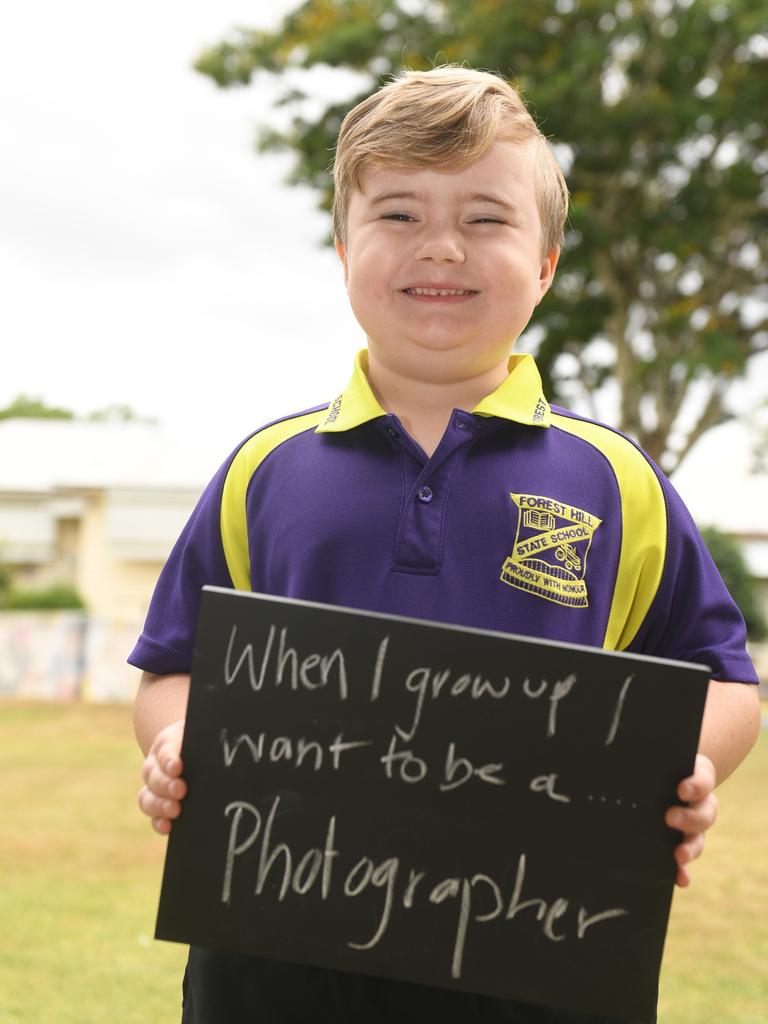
[(476, 233)]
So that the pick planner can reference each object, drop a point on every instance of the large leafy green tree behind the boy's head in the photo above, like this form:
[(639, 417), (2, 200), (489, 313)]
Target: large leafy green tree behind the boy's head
[(657, 109)]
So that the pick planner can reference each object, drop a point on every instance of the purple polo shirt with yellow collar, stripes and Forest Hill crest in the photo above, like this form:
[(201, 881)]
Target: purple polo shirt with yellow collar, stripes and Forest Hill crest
[(527, 520)]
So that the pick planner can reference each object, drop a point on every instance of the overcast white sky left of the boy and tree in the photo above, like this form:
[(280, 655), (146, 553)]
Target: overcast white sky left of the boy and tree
[(147, 254)]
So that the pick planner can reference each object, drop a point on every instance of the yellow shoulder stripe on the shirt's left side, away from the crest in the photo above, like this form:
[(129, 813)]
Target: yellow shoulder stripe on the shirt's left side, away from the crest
[(245, 464)]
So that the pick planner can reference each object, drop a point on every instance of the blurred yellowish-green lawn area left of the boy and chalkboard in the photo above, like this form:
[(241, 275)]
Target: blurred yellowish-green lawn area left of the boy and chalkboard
[(80, 874)]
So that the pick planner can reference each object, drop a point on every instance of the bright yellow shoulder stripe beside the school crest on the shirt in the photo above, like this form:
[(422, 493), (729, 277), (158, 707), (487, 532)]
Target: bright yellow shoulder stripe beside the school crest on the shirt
[(644, 530)]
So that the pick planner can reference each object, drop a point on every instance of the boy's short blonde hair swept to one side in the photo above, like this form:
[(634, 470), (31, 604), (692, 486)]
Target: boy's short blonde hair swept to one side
[(448, 117)]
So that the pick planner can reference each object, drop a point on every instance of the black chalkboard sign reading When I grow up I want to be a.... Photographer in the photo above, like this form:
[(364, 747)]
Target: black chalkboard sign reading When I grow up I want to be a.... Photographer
[(448, 806)]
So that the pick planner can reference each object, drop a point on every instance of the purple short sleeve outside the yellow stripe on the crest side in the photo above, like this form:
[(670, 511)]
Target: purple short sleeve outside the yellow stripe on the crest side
[(693, 617)]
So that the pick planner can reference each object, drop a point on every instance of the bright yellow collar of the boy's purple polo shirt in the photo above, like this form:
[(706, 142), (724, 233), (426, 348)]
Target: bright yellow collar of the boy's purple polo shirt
[(519, 398)]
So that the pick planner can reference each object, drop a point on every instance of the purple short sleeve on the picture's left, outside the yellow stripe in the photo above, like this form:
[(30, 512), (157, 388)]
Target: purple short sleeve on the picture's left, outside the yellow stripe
[(197, 560)]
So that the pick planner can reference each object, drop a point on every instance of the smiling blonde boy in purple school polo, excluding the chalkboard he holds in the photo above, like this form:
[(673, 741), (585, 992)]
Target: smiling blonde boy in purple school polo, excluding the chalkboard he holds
[(406, 494)]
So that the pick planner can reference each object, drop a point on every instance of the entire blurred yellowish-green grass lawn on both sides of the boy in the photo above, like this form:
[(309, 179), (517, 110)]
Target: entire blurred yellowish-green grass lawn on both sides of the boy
[(80, 874)]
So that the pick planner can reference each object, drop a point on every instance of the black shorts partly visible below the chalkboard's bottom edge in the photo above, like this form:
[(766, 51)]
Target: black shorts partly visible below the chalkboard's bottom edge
[(231, 989)]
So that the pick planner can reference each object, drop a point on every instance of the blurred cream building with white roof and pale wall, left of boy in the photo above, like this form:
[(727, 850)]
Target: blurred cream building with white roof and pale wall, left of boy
[(97, 506)]
